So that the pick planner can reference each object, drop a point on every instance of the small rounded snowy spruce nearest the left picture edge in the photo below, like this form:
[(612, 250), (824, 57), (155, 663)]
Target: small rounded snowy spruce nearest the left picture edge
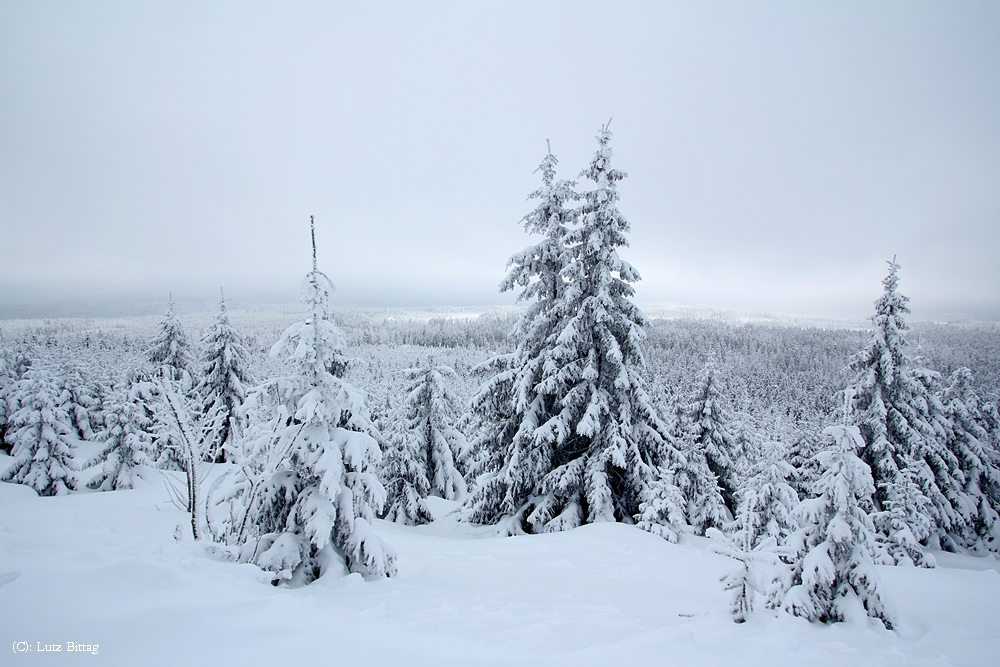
[(41, 434)]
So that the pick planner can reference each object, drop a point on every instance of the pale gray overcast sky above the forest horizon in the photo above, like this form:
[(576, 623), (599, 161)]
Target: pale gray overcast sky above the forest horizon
[(777, 153)]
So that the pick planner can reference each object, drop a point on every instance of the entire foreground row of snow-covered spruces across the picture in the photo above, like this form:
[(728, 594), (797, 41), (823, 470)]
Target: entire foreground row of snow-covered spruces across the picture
[(562, 432)]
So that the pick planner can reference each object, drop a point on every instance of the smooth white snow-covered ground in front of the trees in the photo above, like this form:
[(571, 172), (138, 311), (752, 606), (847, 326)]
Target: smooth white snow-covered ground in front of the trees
[(105, 569)]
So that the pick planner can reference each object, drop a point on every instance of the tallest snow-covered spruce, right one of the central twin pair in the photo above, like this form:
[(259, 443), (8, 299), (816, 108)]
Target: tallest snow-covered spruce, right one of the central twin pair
[(578, 437)]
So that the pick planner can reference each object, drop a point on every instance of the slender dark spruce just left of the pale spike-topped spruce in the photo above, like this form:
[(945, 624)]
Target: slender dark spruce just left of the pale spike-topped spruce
[(224, 377)]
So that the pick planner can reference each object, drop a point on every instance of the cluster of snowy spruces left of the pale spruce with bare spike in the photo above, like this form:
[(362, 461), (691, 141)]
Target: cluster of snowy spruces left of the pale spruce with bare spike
[(51, 401)]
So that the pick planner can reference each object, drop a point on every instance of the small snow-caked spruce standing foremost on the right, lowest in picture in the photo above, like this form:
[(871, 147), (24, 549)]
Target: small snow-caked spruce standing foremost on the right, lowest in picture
[(833, 566)]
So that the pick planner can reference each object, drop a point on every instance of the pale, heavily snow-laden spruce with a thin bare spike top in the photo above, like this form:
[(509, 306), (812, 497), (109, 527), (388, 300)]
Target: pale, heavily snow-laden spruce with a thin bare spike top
[(306, 488)]
